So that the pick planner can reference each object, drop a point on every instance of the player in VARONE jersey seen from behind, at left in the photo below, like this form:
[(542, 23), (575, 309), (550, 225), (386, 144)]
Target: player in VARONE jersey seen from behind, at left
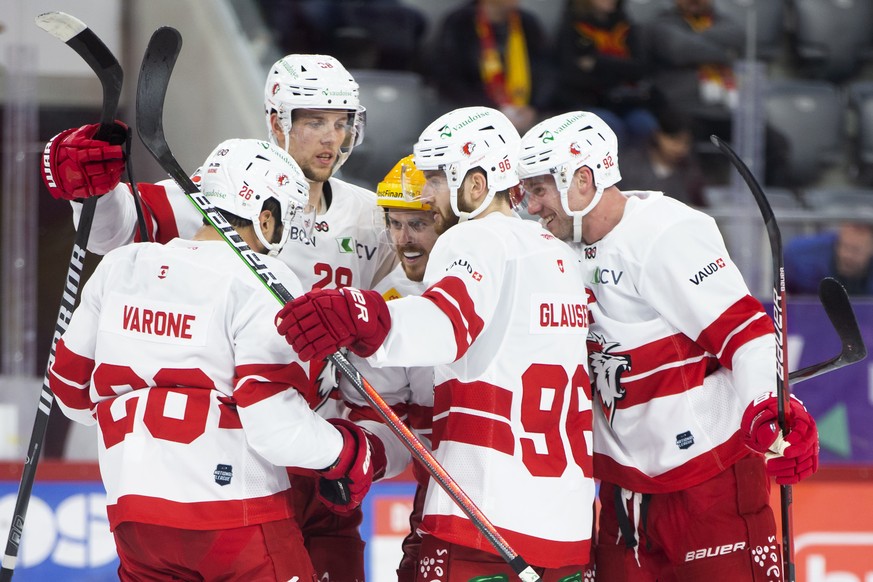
[(198, 410)]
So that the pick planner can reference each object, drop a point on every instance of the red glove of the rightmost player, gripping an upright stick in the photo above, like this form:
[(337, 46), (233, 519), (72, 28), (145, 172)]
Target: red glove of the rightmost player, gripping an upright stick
[(789, 458)]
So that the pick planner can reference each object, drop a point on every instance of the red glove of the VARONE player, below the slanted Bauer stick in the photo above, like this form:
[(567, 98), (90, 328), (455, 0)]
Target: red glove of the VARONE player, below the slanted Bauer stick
[(343, 486)]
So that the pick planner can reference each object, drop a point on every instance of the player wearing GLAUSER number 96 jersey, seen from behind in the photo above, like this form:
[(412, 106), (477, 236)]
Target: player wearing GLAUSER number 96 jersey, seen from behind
[(504, 321)]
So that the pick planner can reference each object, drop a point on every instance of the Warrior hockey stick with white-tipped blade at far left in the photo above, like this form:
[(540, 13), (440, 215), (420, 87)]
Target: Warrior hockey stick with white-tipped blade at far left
[(81, 39)]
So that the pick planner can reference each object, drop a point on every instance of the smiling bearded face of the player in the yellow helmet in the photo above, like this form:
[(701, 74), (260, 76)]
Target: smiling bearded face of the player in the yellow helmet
[(413, 235)]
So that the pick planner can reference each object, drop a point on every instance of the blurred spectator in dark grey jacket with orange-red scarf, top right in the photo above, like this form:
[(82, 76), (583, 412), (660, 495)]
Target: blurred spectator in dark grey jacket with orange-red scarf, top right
[(693, 48)]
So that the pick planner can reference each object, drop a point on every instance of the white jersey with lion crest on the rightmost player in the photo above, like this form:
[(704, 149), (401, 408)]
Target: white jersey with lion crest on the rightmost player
[(678, 348)]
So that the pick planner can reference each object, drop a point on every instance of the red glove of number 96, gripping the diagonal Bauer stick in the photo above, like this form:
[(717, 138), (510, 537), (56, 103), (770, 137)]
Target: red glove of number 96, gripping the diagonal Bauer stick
[(322, 321)]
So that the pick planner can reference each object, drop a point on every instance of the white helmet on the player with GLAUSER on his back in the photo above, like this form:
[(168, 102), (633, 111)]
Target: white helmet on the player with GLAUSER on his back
[(467, 138)]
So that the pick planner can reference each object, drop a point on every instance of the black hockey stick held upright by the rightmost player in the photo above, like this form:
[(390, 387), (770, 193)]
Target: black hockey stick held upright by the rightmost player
[(781, 328)]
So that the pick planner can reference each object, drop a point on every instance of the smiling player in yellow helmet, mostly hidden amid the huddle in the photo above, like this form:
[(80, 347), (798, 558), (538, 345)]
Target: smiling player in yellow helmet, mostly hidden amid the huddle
[(409, 391)]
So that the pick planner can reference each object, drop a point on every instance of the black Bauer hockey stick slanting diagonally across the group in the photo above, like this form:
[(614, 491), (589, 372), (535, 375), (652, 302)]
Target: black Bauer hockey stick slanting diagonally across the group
[(154, 78)]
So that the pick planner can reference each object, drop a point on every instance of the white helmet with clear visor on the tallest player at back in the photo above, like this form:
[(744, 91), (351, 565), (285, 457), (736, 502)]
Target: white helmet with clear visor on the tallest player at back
[(301, 81)]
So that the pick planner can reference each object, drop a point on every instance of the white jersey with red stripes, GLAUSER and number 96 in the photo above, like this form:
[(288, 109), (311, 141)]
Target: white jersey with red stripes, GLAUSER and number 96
[(504, 322)]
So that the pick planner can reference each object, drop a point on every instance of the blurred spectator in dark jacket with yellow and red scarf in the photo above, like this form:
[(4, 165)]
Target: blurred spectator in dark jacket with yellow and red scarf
[(493, 53)]
